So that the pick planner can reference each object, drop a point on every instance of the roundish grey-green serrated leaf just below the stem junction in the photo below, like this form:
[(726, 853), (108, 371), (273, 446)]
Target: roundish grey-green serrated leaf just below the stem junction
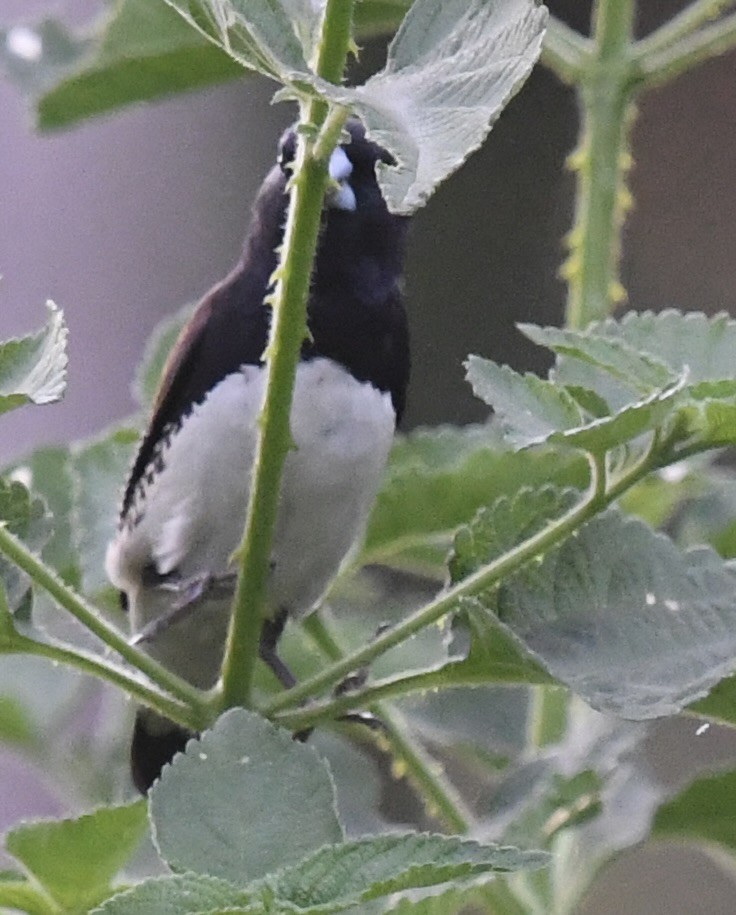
[(281, 790)]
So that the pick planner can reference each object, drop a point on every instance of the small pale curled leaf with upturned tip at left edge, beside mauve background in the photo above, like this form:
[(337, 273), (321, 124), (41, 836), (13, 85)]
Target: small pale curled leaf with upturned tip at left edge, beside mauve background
[(33, 368)]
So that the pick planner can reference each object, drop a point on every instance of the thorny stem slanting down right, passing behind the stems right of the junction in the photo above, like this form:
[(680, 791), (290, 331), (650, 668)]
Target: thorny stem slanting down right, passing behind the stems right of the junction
[(440, 797)]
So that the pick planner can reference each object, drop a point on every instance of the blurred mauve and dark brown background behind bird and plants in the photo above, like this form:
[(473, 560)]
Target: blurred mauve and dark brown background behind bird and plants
[(123, 219)]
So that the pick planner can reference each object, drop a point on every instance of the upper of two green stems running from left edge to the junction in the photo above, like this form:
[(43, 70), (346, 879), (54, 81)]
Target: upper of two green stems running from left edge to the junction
[(46, 578)]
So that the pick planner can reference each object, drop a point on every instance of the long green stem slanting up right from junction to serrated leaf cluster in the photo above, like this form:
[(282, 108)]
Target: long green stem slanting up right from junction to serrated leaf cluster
[(482, 580)]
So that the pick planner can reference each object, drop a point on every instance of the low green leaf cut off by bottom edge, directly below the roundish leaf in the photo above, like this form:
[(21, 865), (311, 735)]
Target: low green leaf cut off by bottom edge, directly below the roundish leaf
[(184, 894)]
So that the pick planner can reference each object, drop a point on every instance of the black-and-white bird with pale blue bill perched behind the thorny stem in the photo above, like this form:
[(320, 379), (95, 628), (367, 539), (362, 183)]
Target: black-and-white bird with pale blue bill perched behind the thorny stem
[(185, 500)]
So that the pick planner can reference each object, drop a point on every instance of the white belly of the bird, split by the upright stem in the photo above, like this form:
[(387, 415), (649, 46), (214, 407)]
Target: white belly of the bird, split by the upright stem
[(193, 511)]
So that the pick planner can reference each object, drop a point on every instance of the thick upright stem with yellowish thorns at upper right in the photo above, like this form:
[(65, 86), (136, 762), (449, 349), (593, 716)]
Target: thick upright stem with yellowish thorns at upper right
[(601, 162)]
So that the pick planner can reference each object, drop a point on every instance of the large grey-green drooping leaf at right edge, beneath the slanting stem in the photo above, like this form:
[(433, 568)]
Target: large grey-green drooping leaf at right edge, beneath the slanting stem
[(623, 618)]
